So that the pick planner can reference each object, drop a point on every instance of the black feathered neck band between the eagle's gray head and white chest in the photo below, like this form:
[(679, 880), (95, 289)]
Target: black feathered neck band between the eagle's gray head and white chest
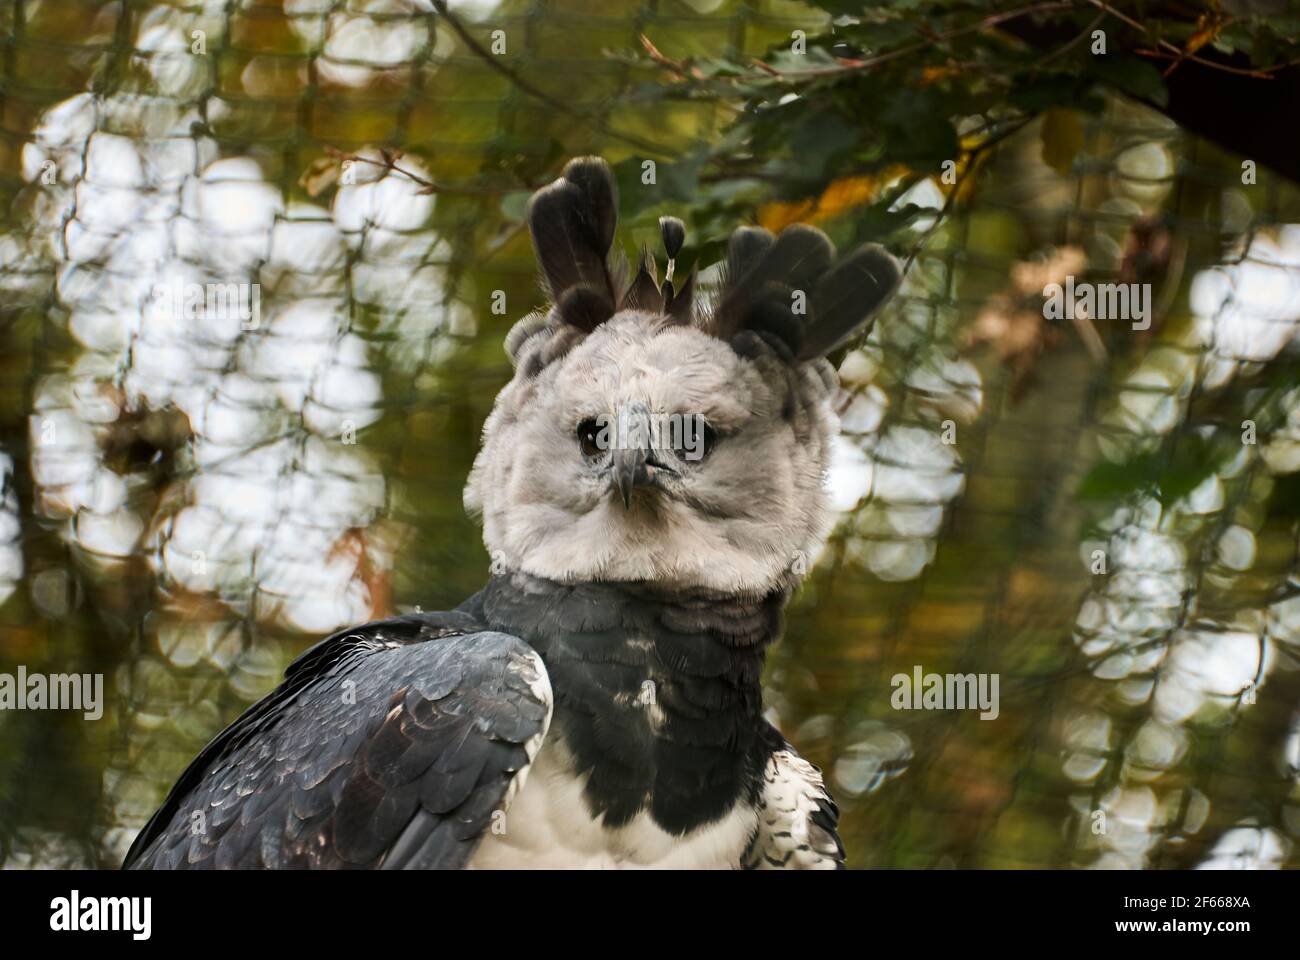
[(658, 698)]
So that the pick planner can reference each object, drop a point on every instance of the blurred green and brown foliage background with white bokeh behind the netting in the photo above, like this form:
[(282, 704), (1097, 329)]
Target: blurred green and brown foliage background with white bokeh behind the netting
[(188, 505)]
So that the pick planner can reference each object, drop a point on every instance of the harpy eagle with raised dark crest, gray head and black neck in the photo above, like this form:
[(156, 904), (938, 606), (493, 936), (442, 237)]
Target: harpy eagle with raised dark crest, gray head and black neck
[(599, 703)]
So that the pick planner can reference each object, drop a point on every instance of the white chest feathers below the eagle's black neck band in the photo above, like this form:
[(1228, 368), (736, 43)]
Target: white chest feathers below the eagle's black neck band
[(548, 827)]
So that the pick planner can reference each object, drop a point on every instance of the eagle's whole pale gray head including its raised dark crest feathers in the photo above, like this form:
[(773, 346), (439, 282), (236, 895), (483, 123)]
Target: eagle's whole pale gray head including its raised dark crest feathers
[(734, 522)]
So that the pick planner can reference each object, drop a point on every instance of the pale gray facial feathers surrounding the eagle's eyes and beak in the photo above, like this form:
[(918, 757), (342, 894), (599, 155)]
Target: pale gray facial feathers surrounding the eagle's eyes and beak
[(738, 518)]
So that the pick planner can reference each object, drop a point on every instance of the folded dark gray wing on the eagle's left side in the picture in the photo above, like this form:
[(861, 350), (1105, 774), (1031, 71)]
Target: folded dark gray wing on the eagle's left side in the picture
[(389, 746)]
